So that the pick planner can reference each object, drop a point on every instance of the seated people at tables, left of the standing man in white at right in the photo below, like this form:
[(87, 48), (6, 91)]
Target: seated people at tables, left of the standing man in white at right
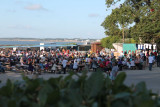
[(57, 62)]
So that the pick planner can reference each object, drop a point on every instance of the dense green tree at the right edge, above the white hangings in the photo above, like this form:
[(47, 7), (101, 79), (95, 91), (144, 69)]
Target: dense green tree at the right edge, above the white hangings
[(148, 26)]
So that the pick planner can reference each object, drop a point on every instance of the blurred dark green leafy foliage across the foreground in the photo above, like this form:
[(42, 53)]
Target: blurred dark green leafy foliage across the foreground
[(95, 90)]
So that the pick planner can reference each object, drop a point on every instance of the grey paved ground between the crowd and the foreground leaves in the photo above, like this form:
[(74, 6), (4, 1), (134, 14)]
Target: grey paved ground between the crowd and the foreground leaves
[(152, 78)]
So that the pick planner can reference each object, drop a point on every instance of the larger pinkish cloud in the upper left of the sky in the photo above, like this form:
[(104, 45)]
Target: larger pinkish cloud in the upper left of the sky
[(35, 7)]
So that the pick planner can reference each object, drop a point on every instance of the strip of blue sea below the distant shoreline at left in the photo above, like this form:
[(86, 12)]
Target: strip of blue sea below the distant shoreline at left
[(35, 42)]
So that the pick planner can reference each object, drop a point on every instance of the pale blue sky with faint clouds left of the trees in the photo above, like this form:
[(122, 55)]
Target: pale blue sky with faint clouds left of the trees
[(52, 18)]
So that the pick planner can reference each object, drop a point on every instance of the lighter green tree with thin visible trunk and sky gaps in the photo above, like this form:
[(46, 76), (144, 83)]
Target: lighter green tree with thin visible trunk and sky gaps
[(116, 23)]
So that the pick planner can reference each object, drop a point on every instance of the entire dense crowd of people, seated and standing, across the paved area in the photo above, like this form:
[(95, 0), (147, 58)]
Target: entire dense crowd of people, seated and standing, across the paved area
[(63, 61)]
